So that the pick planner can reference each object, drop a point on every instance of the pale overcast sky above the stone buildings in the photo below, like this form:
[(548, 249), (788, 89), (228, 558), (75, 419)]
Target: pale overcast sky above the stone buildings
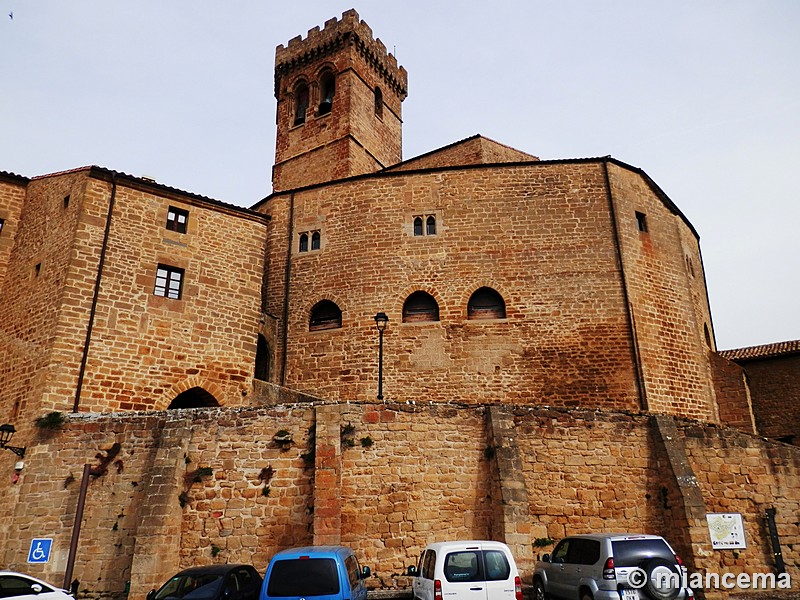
[(704, 96)]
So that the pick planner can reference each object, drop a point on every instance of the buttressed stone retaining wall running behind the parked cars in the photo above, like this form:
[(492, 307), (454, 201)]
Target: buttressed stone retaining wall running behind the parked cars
[(199, 486)]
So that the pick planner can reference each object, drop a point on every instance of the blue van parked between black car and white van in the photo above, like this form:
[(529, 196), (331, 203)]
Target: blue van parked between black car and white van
[(318, 572)]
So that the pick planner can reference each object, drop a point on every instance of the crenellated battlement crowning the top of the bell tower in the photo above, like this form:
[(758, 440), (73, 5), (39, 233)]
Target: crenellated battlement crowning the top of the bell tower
[(332, 36)]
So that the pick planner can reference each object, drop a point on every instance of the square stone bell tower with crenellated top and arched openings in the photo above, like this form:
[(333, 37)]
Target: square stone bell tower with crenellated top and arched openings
[(339, 98)]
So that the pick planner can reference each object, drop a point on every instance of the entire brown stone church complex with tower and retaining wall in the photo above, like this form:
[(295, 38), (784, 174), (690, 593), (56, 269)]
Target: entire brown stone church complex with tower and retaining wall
[(221, 389)]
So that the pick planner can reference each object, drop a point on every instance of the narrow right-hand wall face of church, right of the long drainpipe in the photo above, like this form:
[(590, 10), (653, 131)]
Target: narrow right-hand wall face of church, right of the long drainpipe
[(668, 302)]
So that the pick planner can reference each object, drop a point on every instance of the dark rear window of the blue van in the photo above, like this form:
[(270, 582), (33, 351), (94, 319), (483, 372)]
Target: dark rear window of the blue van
[(303, 577)]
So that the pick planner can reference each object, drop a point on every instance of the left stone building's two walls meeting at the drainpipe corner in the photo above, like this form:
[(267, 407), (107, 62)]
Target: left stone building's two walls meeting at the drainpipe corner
[(144, 349)]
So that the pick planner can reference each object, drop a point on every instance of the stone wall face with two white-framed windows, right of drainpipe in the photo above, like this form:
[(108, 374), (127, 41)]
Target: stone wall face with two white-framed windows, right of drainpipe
[(147, 349)]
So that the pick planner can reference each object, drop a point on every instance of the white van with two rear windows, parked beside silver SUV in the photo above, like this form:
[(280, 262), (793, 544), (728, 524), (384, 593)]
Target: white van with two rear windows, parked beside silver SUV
[(468, 570)]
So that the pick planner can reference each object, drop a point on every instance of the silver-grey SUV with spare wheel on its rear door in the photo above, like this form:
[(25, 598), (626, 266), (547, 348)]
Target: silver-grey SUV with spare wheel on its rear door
[(621, 566)]
